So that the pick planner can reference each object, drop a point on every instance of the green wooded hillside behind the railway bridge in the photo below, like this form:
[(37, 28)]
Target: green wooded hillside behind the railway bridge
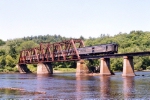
[(135, 41)]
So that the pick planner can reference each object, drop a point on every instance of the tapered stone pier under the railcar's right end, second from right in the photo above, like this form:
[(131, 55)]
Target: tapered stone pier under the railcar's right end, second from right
[(105, 66)]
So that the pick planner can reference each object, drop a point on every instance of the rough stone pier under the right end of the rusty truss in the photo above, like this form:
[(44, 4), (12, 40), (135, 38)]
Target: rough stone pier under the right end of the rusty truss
[(81, 68)]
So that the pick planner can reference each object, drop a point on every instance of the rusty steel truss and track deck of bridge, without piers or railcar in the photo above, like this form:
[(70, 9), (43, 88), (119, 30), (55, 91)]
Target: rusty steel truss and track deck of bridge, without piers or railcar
[(64, 51)]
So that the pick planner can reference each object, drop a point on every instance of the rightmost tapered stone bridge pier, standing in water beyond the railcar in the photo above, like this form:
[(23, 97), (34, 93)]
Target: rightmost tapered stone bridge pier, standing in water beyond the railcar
[(128, 67)]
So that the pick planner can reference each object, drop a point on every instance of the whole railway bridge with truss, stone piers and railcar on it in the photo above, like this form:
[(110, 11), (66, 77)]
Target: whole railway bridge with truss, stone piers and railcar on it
[(75, 50)]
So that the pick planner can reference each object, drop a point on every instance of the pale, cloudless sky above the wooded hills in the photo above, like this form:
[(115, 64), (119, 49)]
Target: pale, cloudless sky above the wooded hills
[(72, 18)]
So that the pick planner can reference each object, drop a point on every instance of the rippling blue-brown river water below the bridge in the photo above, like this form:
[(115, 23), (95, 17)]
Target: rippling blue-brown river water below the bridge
[(69, 86)]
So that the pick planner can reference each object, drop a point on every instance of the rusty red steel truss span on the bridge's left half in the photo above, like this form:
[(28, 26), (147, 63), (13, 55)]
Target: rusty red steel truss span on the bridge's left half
[(61, 51)]
